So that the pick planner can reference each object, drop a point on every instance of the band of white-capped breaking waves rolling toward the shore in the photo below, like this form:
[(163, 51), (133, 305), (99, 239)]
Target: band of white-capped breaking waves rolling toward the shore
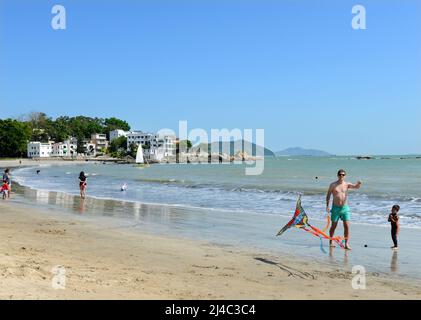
[(252, 197)]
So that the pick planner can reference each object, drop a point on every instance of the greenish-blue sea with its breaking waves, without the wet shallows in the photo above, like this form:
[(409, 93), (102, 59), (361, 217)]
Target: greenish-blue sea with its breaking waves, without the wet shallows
[(226, 187)]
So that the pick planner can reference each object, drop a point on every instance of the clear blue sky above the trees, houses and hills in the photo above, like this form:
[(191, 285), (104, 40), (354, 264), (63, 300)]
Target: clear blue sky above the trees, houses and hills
[(296, 69)]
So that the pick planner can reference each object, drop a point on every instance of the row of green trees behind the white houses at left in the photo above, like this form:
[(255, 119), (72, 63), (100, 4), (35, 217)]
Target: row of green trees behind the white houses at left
[(37, 126)]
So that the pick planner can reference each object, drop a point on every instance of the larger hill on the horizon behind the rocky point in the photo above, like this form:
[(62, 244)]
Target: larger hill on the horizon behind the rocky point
[(232, 148)]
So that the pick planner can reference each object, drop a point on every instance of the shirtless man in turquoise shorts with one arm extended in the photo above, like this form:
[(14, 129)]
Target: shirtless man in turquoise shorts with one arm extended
[(340, 208)]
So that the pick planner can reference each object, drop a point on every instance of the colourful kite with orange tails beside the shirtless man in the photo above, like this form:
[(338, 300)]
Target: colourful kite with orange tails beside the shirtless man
[(300, 221)]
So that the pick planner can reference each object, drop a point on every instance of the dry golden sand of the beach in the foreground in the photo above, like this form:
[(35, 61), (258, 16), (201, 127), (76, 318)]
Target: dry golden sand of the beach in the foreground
[(111, 263)]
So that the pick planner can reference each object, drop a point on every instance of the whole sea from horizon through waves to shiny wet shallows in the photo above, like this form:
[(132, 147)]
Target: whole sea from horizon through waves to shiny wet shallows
[(220, 204)]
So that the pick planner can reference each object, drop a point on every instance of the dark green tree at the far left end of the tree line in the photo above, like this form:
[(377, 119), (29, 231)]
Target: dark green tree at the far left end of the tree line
[(14, 136)]
